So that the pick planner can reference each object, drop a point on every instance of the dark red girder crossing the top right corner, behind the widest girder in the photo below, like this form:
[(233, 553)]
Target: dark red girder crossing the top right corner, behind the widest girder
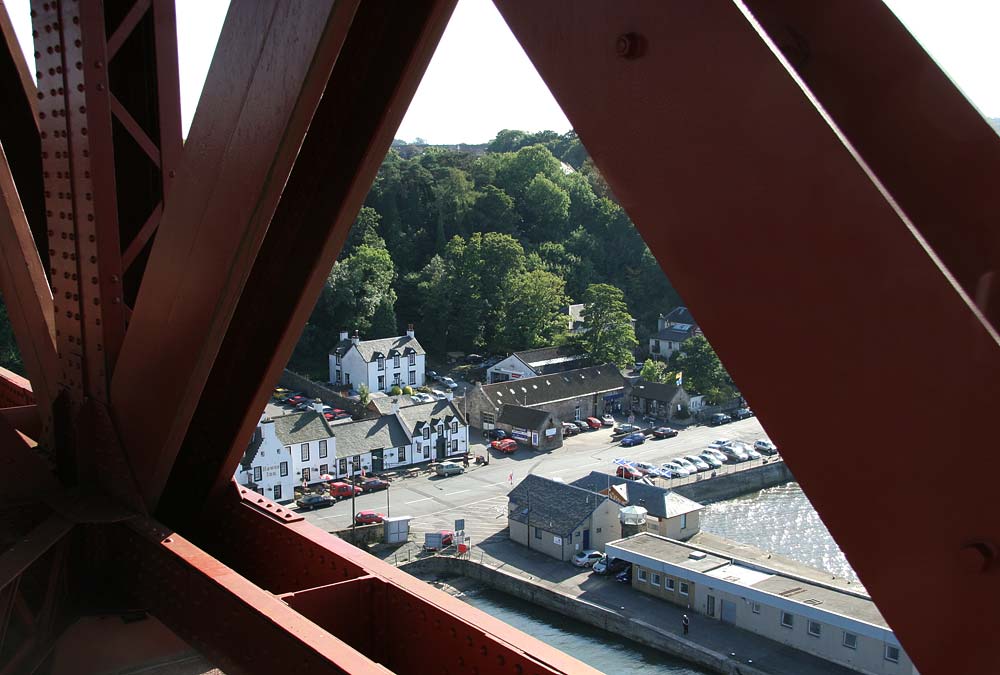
[(932, 151)]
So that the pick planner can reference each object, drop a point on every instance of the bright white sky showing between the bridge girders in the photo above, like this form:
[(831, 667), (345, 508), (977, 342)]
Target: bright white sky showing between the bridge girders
[(480, 81)]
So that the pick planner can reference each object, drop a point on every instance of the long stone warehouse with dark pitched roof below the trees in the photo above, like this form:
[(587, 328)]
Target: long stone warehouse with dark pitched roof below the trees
[(572, 395)]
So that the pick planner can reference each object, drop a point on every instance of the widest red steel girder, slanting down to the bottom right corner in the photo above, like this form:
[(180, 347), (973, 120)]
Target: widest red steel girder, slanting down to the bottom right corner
[(763, 217)]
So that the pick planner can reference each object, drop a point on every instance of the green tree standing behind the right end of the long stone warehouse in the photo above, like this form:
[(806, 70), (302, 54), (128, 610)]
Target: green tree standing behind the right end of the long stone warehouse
[(608, 336)]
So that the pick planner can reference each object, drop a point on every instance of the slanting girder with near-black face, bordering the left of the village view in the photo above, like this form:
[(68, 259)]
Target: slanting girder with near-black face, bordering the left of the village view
[(378, 70)]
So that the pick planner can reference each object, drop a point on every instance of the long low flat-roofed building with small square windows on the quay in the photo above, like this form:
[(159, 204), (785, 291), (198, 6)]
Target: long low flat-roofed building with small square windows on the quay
[(837, 624)]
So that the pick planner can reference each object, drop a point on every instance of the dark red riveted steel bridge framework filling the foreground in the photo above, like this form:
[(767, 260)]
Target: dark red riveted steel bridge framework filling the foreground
[(181, 278)]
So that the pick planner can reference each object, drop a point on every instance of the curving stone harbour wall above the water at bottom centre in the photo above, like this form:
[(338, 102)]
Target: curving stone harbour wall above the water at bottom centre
[(589, 613)]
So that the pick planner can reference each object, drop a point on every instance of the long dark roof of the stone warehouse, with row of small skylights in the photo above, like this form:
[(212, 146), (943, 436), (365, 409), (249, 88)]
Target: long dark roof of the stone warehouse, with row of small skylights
[(555, 387)]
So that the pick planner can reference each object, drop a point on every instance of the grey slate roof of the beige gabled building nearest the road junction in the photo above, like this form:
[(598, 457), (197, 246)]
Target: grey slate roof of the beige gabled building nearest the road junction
[(551, 505)]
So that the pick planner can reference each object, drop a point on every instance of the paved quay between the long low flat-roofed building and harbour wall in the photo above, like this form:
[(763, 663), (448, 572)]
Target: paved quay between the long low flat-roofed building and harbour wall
[(740, 645)]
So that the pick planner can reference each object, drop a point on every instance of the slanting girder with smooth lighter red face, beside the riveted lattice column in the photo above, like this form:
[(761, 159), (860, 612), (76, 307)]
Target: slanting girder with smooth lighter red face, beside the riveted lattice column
[(270, 67)]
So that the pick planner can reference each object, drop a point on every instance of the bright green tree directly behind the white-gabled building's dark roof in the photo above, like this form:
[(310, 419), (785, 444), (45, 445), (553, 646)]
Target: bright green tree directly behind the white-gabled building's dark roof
[(533, 317)]
